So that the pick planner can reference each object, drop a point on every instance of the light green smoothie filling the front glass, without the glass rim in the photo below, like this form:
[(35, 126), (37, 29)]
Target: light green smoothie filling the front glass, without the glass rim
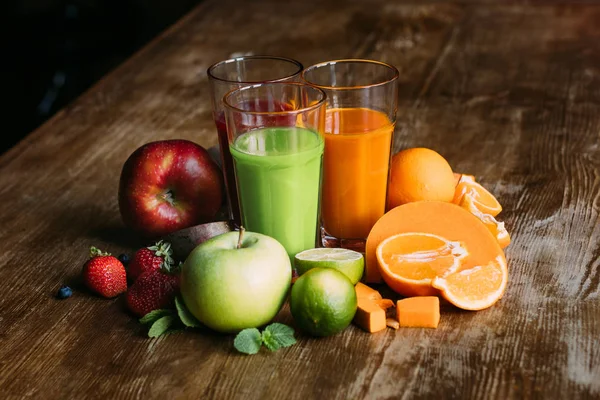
[(278, 173)]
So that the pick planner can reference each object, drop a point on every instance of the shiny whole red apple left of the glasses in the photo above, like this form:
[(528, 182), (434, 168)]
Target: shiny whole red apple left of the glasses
[(169, 185)]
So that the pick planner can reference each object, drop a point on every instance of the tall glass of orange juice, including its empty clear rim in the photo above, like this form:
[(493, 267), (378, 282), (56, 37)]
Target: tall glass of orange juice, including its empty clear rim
[(360, 119)]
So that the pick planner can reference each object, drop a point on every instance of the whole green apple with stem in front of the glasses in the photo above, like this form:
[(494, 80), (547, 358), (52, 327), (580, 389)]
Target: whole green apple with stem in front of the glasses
[(230, 289)]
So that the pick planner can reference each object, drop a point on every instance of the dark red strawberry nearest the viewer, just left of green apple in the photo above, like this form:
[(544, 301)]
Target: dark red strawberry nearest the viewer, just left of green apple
[(153, 290)]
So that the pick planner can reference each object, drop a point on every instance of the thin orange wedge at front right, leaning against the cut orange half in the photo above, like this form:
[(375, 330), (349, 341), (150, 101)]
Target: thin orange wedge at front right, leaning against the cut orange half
[(475, 288)]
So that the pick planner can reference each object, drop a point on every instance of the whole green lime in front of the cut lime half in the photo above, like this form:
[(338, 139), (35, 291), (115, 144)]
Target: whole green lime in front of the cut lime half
[(323, 302)]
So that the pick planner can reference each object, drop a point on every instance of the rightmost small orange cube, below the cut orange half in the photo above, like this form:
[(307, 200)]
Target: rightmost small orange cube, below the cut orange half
[(421, 311)]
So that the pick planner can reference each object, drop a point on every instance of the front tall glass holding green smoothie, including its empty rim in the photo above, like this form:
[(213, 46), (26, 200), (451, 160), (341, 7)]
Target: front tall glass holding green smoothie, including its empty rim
[(277, 155)]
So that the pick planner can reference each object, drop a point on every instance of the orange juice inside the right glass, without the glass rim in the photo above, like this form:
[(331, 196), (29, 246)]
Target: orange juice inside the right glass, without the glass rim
[(355, 171)]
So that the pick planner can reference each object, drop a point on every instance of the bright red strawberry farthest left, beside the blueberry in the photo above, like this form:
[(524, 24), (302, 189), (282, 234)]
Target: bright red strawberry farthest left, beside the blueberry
[(104, 274)]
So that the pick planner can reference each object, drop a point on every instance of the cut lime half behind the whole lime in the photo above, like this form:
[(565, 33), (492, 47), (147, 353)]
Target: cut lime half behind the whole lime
[(350, 262)]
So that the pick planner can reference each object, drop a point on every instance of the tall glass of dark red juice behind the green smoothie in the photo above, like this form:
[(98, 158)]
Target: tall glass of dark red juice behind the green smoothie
[(234, 73)]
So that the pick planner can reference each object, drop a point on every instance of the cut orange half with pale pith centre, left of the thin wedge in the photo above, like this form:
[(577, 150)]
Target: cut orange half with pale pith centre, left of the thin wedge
[(408, 262)]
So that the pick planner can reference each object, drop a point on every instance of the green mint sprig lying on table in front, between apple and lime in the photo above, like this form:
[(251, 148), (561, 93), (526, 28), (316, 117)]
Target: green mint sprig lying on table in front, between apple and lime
[(275, 336)]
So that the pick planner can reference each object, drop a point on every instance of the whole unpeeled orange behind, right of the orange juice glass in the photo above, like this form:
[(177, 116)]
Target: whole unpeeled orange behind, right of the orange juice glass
[(419, 174)]
